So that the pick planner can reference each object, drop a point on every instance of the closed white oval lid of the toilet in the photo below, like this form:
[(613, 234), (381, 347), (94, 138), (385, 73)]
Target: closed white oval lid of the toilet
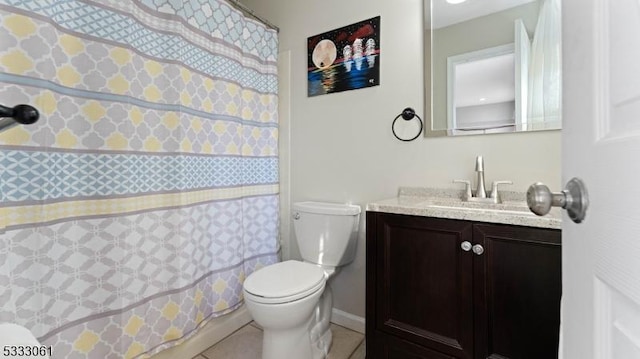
[(284, 279)]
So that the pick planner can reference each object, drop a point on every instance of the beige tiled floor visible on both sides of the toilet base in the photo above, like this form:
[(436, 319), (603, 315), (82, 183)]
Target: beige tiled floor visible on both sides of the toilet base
[(246, 343)]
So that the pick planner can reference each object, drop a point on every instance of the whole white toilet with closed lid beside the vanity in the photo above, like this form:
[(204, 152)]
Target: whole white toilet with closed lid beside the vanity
[(291, 300)]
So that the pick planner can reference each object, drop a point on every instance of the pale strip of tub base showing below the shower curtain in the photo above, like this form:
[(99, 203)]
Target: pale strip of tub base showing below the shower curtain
[(213, 332)]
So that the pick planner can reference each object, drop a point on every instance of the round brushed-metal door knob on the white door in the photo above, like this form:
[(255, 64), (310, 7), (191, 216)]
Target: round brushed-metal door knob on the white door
[(573, 198)]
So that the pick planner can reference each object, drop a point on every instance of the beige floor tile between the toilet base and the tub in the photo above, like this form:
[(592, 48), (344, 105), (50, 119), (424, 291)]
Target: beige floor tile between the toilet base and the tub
[(246, 343)]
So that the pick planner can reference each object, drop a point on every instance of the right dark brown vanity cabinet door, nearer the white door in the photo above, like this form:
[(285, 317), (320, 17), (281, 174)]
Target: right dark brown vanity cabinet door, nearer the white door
[(517, 285)]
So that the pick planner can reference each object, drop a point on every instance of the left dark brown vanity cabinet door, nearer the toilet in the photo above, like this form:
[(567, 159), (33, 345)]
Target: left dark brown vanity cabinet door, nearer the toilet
[(424, 282)]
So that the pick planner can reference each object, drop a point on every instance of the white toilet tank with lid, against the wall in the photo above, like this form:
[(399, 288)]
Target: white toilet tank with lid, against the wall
[(327, 233)]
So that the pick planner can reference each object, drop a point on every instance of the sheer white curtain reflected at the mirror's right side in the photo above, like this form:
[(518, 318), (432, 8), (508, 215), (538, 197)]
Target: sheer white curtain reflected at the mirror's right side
[(545, 77)]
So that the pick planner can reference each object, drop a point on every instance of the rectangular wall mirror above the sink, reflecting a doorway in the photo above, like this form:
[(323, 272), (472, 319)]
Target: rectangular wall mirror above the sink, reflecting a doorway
[(492, 66)]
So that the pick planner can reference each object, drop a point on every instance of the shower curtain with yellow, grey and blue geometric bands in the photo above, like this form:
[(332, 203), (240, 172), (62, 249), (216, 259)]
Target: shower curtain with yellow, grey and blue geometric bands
[(131, 213)]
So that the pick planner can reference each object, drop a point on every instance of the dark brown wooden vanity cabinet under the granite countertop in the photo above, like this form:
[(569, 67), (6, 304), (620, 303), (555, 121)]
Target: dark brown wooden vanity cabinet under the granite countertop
[(428, 298)]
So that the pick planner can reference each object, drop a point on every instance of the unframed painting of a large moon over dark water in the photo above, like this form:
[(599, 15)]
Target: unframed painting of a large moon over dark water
[(344, 59)]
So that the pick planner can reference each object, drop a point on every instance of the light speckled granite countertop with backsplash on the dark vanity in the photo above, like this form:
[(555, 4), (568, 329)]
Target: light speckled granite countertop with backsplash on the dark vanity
[(447, 203)]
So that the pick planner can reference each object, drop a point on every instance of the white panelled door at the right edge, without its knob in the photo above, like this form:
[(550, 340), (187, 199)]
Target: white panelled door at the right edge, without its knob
[(601, 145)]
